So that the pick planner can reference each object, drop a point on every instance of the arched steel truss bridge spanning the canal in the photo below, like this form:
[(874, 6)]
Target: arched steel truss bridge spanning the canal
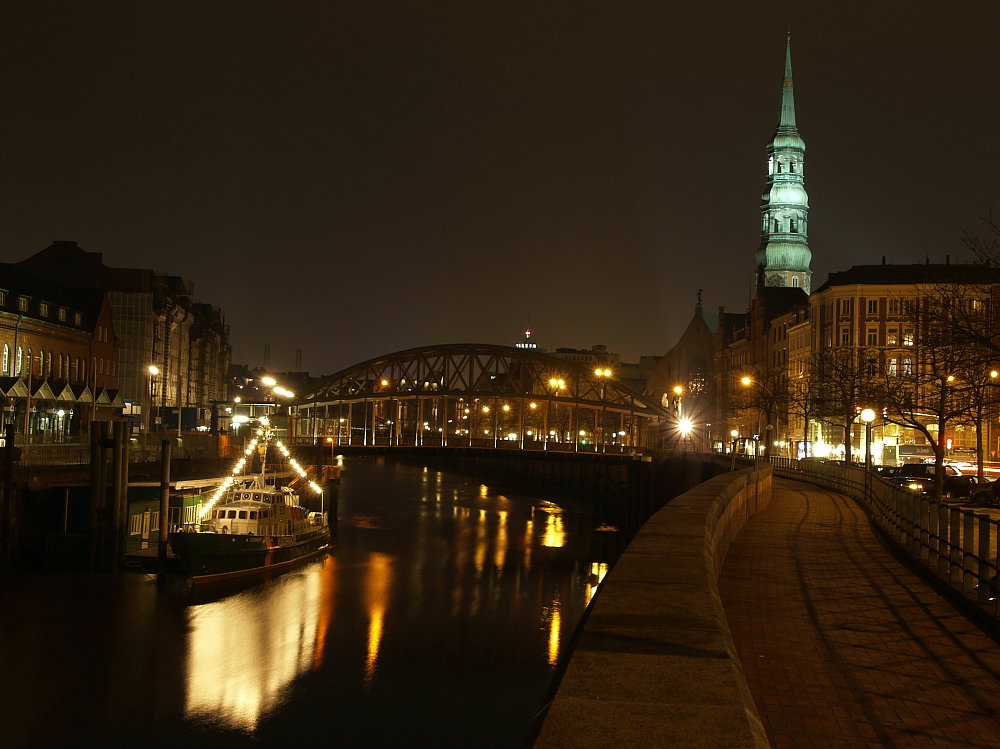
[(476, 395)]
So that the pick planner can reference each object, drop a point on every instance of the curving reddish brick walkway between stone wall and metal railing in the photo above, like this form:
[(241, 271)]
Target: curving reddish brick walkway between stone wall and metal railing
[(842, 645)]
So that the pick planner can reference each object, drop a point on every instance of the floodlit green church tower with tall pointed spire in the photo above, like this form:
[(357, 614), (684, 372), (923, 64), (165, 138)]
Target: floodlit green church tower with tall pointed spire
[(783, 256)]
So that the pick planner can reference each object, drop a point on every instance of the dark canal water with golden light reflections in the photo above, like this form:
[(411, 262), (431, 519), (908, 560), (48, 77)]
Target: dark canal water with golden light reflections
[(439, 620)]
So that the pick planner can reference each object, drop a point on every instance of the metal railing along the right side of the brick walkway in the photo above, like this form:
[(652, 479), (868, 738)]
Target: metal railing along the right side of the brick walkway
[(958, 545)]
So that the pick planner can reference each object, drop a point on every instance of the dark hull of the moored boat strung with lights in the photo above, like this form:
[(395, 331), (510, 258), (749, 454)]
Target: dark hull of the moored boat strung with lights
[(213, 557)]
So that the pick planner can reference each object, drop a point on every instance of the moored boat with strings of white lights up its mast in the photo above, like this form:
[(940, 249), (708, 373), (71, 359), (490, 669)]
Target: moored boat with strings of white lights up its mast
[(253, 524)]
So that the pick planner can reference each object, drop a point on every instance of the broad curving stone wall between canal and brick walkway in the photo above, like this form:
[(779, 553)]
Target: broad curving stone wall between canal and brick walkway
[(655, 664)]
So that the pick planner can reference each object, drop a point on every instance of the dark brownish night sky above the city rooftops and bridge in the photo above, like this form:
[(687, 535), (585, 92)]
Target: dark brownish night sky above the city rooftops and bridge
[(353, 179)]
